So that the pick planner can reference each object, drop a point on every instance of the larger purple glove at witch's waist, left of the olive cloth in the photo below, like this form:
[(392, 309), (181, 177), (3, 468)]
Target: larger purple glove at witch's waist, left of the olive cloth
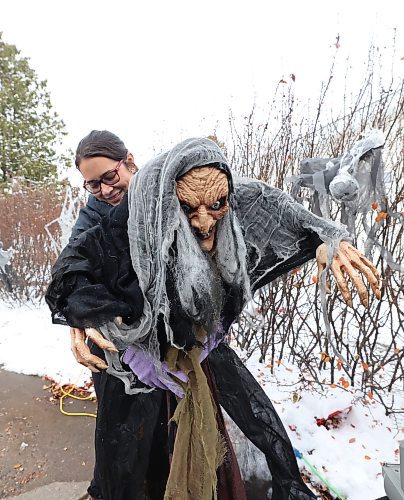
[(143, 366)]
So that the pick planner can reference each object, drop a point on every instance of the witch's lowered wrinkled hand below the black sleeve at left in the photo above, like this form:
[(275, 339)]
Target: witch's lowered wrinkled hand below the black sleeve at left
[(81, 351)]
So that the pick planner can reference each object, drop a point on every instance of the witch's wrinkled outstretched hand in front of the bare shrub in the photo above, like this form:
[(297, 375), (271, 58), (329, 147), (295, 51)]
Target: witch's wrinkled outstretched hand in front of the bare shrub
[(348, 261)]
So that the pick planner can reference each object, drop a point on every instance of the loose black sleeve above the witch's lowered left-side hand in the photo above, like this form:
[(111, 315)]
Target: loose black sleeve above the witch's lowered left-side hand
[(93, 280)]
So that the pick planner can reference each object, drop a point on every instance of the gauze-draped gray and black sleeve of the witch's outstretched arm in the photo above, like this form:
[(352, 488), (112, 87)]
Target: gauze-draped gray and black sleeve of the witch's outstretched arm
[(280, 233)]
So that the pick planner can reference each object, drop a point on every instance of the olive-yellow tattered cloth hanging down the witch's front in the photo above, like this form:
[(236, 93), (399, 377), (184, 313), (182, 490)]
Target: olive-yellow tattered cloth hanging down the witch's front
[(199, 448)]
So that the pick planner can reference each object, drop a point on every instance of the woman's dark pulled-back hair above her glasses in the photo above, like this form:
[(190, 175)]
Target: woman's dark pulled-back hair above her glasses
[(101, 143)]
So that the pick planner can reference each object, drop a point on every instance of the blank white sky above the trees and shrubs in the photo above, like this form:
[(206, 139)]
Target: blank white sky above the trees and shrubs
[(155, 72)]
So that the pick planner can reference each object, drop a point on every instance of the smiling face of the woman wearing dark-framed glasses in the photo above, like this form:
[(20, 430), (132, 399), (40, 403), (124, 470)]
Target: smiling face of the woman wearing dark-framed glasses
[(92, 169)]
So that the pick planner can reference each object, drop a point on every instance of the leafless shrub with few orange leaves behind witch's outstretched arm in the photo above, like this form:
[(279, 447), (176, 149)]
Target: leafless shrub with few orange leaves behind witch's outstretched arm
[(284, 322)]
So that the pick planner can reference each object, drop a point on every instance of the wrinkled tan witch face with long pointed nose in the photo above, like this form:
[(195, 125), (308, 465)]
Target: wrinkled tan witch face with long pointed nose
[(203, 194)]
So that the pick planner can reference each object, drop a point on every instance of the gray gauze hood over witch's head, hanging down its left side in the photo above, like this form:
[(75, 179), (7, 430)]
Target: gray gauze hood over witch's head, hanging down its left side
[(154, 217)]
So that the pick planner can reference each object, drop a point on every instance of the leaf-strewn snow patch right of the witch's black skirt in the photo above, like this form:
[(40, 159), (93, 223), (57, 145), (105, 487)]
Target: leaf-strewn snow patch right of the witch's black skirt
[(350, 456)]
